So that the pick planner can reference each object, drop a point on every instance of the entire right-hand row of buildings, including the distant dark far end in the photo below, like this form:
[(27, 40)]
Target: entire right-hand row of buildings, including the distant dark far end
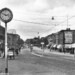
[(63, 41)]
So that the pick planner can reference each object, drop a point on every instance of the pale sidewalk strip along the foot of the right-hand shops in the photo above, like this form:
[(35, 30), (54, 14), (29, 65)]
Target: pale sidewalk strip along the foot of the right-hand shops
[(54, 52)]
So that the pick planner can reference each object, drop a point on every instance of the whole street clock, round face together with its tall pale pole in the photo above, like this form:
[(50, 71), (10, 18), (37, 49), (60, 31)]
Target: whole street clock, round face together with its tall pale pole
[(6, 16)]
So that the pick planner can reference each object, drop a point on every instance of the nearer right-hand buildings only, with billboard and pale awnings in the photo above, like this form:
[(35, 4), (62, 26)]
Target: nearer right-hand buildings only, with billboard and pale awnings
[(63, 40)]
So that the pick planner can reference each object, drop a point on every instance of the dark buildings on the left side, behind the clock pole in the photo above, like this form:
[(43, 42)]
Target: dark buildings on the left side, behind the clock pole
[(13, 40)]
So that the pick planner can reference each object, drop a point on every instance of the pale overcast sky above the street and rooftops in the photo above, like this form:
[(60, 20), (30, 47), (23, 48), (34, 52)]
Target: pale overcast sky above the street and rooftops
[(33, 16)]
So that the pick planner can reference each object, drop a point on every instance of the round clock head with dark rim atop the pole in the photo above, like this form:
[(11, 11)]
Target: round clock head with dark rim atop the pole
[(6, 15)]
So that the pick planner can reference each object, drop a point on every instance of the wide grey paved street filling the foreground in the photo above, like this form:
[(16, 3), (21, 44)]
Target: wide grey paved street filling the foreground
[(27, 63)]
